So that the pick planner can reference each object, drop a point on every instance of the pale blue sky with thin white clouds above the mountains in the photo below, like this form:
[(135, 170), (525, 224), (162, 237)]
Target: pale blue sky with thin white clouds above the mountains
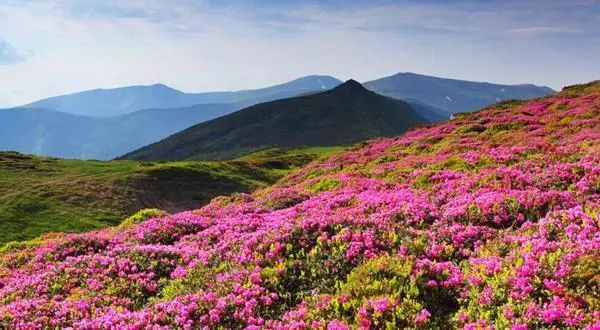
[(54, 47)]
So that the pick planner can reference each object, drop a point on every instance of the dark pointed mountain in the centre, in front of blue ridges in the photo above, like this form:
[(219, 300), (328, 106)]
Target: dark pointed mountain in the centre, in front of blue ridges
[(343, 115)]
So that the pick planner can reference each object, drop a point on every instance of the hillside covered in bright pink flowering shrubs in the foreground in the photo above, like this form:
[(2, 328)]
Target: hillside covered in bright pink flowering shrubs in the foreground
[(487, 221)]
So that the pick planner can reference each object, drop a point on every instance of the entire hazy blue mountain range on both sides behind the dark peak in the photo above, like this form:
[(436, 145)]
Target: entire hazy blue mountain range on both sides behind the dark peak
[(106, 123)]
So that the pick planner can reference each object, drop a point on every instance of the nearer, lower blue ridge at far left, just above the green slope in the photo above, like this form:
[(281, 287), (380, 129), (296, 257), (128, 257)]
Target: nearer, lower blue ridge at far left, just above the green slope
[(58, 134)]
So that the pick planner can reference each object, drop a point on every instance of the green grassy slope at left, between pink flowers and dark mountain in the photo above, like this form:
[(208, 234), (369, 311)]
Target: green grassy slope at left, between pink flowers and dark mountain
[(39, 195)]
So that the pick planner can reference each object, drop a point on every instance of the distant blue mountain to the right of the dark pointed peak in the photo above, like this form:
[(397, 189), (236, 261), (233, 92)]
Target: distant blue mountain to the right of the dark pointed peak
[(452, 95)]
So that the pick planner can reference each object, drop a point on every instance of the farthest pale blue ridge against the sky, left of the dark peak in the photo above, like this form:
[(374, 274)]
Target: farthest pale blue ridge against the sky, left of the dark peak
[(119, 101)]
